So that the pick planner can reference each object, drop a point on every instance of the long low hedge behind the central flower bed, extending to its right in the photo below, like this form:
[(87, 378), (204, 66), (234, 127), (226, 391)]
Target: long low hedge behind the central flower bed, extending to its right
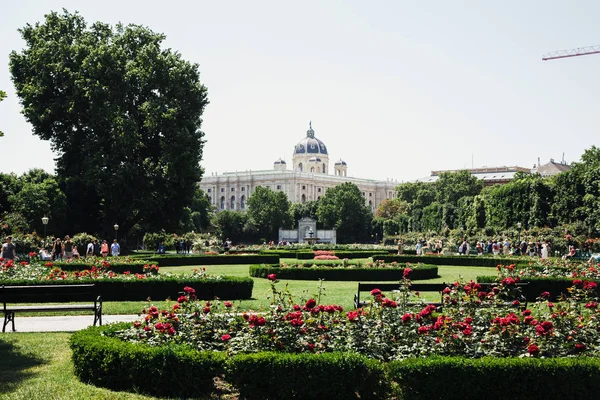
[(463, 261)]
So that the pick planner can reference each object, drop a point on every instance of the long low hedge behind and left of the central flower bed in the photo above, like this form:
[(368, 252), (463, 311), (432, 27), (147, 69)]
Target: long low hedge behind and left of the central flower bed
[(216, 259)]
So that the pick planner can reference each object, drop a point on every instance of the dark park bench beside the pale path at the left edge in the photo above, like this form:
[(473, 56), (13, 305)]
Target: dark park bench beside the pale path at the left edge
[(13, 296)]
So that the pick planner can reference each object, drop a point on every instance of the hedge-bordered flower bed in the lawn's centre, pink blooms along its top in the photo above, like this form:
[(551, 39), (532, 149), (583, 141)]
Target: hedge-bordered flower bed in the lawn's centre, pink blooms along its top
[(343, 270)]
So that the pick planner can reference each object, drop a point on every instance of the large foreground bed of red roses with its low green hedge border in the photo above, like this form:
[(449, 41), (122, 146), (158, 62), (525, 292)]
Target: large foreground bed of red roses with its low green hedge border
[(337, 351)]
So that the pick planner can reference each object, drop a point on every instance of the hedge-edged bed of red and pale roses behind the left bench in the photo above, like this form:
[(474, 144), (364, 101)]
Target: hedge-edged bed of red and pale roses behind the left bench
[(127, 286)]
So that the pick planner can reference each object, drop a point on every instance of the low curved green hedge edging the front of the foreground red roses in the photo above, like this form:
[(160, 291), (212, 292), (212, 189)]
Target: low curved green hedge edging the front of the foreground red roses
[(180, 371)]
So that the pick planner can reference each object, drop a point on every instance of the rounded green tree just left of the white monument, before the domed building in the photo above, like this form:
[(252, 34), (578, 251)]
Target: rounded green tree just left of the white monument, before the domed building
[(269, 211)]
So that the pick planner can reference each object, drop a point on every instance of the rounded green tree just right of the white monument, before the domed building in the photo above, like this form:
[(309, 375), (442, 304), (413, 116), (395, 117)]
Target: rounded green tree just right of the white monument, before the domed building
[(343, 208)]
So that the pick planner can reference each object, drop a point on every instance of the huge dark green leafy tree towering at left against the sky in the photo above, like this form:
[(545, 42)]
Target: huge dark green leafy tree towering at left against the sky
[(123, 115)]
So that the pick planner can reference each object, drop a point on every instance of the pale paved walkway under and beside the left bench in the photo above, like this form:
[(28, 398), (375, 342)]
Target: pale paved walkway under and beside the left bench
[(63, 324)]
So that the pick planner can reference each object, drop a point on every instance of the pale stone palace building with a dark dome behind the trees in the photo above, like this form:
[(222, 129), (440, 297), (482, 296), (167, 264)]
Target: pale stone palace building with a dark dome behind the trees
[(307, 180)]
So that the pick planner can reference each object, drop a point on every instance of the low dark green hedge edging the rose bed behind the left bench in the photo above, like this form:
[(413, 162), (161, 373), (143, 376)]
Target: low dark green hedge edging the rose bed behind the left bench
[(227, 287)]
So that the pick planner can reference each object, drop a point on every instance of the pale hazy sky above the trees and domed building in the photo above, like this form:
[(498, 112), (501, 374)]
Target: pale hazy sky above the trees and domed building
[(394, 88)]
